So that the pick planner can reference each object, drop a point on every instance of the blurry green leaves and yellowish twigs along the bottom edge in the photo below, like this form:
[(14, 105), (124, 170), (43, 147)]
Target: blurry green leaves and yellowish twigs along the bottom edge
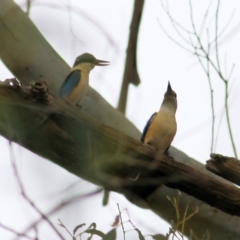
[(176, 231)]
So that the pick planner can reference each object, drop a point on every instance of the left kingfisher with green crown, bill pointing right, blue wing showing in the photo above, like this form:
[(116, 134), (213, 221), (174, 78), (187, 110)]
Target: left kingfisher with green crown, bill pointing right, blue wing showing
[(76, 83)]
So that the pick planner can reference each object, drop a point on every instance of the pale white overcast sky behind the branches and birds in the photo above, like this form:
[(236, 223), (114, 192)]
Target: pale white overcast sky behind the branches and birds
[(102, 28)]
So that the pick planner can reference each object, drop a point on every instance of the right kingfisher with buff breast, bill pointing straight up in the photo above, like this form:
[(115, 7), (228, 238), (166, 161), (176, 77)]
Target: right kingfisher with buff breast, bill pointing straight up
[(161, 127)]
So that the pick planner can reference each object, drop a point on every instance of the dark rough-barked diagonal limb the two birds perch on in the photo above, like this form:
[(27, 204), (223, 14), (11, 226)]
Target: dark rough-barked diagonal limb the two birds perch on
[(102, 155)]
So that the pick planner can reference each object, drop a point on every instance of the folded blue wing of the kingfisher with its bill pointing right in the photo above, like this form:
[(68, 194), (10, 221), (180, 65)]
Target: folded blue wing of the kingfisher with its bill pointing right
[(71, 81)]
